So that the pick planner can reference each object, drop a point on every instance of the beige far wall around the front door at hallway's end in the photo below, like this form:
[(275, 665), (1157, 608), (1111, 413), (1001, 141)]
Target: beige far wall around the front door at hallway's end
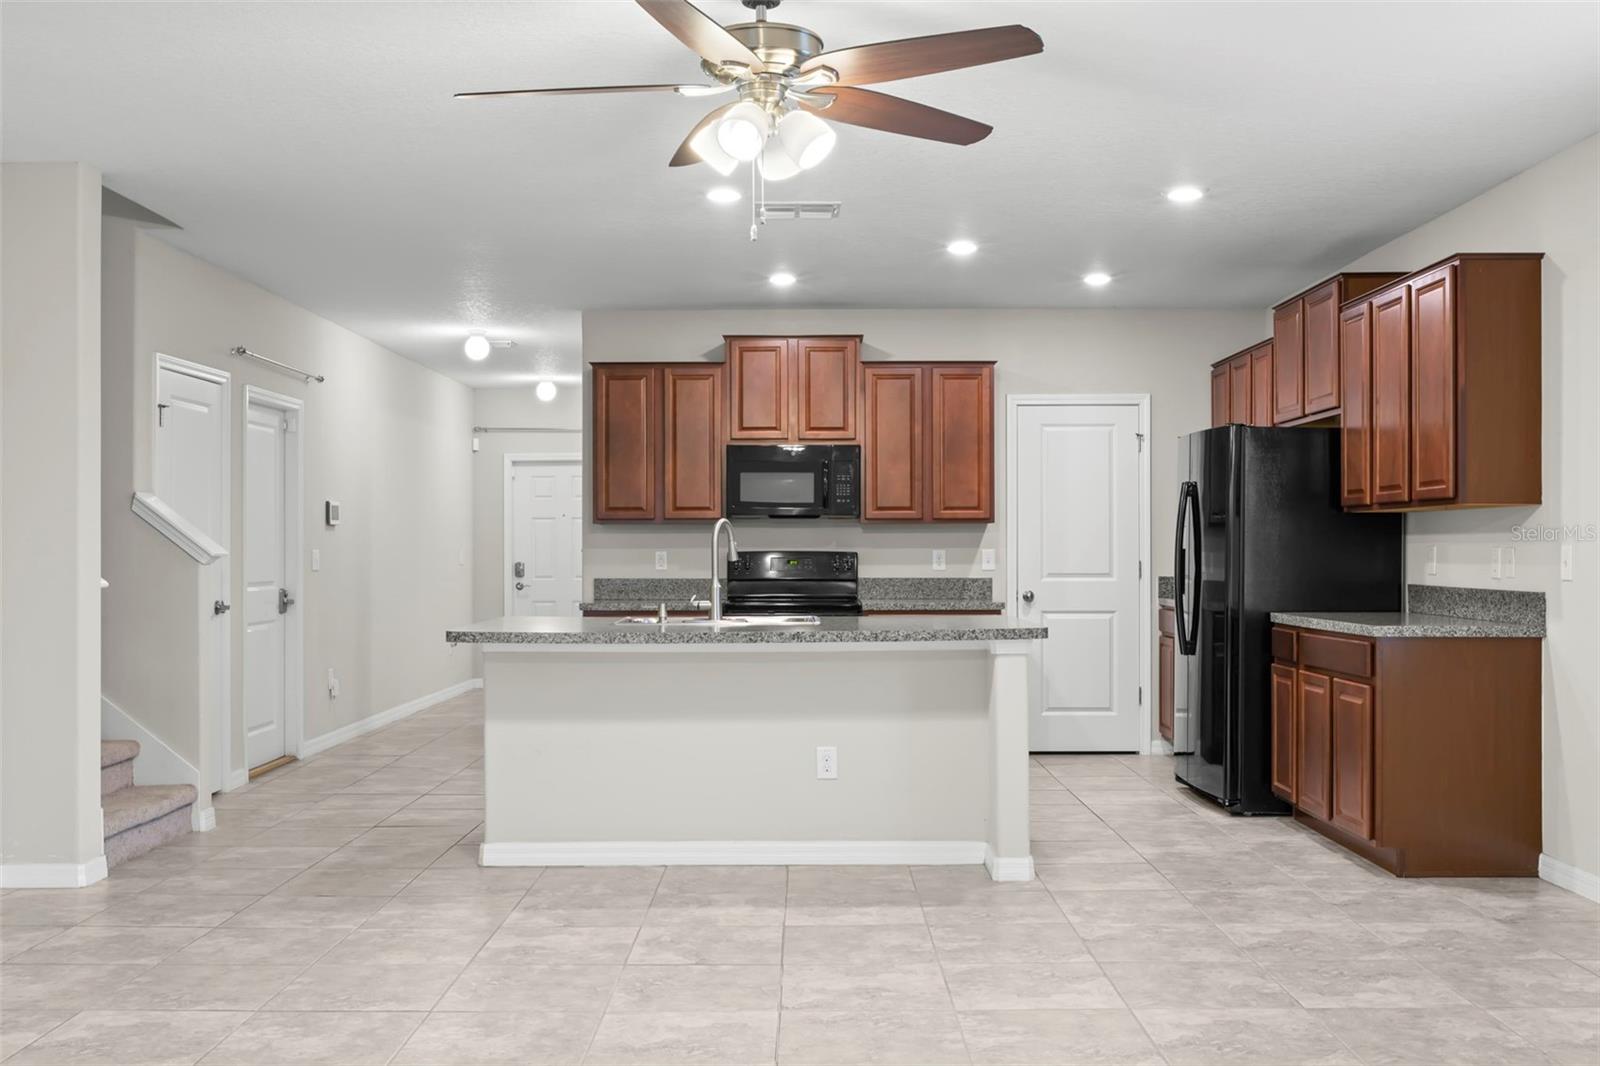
[(556, 430)]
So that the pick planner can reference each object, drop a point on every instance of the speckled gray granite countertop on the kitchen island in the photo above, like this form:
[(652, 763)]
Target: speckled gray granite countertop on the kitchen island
[(838, 630)]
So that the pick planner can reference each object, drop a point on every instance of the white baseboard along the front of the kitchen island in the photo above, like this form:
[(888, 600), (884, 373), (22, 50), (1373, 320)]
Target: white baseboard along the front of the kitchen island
[(737, 854)]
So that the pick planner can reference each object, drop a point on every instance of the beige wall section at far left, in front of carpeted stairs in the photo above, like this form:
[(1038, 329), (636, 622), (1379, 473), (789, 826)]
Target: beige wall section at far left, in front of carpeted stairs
[(50, 534)]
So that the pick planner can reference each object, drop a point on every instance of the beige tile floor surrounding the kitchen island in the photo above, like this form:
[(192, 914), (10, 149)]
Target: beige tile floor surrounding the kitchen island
[(338, 916)]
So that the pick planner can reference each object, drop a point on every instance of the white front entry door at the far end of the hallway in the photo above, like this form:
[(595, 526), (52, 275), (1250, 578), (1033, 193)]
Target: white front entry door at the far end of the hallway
[(546, 572)]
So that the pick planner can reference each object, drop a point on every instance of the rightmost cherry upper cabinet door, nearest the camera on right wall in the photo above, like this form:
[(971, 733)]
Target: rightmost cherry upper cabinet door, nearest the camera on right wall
[(1434, 387)]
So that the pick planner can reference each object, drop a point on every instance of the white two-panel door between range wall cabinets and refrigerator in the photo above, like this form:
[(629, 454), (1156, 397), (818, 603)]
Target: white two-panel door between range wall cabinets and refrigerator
[(1078, 539)]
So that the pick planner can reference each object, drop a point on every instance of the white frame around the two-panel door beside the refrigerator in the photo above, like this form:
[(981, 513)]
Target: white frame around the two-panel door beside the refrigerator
[(1014, 406)]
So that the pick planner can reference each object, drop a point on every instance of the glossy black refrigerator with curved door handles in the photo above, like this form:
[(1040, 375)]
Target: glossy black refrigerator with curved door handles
[(1260, 529)]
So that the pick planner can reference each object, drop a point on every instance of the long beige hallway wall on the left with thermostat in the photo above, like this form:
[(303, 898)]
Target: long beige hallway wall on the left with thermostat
[(385, 436)]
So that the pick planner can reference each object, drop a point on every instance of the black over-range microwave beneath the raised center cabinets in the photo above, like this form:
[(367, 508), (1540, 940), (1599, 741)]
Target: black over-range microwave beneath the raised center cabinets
[(794, 481)]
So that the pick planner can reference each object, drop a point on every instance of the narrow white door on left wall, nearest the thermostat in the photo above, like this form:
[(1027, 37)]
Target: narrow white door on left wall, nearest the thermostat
[(266, 585)]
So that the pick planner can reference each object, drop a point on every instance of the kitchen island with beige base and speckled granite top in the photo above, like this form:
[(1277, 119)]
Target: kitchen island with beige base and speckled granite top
[(614, 745)]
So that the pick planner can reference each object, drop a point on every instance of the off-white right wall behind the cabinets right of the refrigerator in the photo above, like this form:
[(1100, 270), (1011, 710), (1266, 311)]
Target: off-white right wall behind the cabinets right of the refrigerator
[(1553, 209)]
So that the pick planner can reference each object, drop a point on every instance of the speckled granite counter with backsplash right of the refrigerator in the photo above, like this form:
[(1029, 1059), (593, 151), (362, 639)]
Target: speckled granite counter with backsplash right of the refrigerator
[(1436, 612)]
